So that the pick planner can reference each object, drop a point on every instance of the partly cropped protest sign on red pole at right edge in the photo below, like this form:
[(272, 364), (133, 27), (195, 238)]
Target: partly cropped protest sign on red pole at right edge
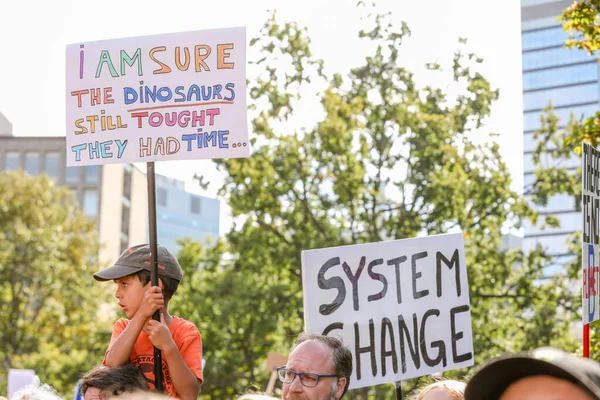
[(590, 173)]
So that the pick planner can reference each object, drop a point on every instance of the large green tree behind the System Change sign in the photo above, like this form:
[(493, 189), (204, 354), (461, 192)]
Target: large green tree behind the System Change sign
[(388, 160)]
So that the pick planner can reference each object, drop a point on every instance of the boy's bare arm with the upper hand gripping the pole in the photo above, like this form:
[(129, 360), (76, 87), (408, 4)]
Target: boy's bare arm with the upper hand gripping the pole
[(122, 347)]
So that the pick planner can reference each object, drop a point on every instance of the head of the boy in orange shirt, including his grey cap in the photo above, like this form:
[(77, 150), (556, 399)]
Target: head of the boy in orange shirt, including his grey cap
[(131, 273)]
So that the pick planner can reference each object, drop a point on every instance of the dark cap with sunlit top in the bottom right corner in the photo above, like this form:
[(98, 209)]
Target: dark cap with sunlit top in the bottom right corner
[(495, 377)]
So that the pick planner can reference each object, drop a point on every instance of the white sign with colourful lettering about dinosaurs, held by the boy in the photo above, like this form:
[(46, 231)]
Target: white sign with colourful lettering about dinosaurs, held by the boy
[(177, 96)]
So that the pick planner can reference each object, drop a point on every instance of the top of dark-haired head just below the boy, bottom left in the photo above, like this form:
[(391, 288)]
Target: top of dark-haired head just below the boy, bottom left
[(103, 382)]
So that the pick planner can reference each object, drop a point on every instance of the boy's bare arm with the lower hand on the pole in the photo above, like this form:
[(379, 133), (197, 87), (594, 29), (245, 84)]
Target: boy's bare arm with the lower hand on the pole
[(185, 382)]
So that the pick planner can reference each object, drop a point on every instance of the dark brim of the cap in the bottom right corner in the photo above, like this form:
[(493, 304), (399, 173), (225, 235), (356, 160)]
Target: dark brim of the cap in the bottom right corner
[(493, 379)]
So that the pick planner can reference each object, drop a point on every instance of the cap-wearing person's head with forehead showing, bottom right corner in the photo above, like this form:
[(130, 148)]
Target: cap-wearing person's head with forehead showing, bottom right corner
[(545, 373)]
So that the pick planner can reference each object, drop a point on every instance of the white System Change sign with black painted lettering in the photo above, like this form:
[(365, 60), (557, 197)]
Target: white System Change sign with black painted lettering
[(401, 306)]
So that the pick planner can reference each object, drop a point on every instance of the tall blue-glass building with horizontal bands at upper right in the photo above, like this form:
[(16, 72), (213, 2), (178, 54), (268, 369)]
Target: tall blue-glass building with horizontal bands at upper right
[(569, 79)]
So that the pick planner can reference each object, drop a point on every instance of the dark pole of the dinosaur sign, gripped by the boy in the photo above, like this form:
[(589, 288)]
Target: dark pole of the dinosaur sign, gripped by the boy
[(158, 378)]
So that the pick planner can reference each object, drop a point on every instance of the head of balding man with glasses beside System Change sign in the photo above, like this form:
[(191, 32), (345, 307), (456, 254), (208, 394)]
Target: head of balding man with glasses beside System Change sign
[(318, 368)]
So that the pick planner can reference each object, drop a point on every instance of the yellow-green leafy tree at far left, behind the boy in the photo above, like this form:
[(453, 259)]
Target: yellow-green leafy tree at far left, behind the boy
[(49, 304)]
